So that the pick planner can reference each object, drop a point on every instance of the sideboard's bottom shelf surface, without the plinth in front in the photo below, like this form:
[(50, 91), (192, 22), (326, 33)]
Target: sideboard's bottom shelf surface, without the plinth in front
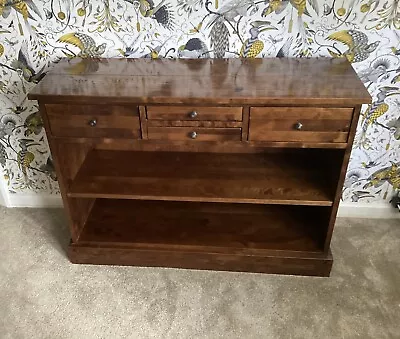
[(244, 229)]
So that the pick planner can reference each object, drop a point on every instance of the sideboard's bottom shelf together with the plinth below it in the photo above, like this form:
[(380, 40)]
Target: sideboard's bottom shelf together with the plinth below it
[(236, 237)]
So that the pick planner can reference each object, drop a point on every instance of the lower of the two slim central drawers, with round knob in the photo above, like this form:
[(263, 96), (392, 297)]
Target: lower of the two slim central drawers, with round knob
[(194, 133)]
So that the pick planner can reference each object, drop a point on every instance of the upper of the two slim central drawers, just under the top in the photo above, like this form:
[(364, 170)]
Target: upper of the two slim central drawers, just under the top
[(194, 113)]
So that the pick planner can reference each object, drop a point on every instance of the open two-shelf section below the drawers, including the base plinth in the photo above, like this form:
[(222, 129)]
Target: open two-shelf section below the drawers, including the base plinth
[(259, 212)]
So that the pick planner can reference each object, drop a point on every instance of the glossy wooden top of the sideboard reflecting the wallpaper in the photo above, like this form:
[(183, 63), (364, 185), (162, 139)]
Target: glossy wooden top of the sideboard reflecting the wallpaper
[(269, 81)]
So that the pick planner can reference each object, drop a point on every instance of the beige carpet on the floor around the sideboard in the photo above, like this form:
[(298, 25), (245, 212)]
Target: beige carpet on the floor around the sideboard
[(42, 295)]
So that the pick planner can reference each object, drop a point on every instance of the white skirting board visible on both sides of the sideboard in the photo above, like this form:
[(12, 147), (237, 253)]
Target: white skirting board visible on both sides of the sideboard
[(348, 210)]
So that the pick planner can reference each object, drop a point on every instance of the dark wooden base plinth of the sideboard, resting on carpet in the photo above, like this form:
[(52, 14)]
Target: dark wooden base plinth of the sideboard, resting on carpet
[(308, 264)]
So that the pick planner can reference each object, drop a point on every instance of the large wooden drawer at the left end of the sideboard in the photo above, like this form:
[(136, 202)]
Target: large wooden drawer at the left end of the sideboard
[(94, 121)]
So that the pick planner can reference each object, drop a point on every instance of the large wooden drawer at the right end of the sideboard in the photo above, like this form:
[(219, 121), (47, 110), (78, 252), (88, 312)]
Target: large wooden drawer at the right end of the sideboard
[(301, 124)]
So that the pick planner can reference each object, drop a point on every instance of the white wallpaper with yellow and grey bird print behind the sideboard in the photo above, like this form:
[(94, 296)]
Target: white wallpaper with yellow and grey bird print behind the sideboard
[(35, 34)]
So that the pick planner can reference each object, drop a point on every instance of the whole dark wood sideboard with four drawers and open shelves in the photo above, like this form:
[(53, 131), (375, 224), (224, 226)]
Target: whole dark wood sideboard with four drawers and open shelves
[(222, 164)]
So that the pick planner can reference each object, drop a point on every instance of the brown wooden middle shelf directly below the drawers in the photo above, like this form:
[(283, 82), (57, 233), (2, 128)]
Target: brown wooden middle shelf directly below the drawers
[(276, 177)]
